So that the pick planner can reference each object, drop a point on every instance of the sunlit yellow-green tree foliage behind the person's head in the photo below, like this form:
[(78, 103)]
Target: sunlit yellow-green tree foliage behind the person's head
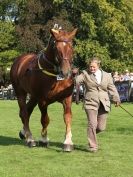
[(105, 22)]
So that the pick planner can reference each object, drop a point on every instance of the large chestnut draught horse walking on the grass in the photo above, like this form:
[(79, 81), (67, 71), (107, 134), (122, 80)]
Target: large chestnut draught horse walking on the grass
[(46, 77)]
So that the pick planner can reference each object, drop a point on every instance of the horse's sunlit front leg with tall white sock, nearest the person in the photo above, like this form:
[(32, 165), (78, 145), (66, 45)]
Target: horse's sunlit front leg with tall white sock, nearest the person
[(68, 144)]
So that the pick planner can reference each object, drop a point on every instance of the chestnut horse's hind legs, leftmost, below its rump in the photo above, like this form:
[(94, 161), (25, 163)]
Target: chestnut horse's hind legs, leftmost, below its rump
[(25, 112)]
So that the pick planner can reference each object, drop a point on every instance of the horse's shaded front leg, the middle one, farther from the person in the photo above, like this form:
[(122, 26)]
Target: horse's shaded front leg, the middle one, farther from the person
[(44, 141)]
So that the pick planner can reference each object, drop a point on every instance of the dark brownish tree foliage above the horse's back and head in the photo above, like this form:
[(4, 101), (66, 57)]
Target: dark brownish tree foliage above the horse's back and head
[(34, 21)]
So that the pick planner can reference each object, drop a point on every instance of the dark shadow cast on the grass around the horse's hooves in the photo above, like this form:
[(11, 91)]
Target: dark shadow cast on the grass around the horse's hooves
[(57, 146)]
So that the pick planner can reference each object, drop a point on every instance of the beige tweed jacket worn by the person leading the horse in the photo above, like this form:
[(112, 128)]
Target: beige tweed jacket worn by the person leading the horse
[(96, 93)]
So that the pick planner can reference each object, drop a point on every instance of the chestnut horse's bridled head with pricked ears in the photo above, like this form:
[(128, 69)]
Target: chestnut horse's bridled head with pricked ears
[(64, 50)]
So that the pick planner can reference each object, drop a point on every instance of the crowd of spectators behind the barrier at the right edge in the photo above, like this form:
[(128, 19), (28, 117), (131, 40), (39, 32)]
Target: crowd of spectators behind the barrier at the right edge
[(120, 77)]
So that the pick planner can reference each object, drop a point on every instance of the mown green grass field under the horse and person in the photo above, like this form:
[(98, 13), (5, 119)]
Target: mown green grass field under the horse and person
[(114, 159)]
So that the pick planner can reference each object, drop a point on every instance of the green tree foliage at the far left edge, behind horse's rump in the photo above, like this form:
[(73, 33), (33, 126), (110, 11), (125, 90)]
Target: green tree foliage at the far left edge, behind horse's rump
[(8, 41)]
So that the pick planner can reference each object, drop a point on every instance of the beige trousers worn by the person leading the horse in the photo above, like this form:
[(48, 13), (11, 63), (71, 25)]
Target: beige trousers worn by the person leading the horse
[(96, 124)]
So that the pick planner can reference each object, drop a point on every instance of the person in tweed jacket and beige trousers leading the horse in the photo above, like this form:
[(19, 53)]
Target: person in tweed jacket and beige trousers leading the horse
[(99, 88)]
